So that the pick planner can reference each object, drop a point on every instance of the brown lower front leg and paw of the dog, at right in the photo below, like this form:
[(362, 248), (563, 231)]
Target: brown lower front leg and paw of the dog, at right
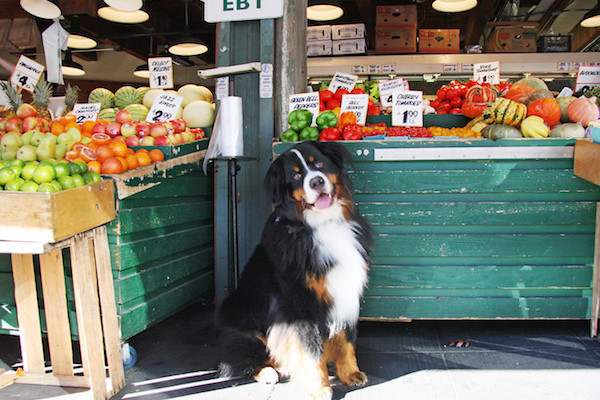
[(340, 351)]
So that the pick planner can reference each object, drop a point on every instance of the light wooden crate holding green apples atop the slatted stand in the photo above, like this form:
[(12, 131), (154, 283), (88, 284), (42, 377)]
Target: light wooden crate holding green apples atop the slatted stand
[(51, 217)]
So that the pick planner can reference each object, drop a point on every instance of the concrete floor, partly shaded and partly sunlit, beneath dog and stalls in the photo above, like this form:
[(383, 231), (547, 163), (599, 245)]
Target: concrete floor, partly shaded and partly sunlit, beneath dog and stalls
[(504, 360)]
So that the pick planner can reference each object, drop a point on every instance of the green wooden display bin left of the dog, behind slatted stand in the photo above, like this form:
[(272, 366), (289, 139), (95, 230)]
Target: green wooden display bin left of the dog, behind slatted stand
[(161, 245)]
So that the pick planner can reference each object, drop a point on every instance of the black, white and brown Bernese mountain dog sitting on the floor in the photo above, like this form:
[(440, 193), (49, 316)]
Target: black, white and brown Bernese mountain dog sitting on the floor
[(296, 307)]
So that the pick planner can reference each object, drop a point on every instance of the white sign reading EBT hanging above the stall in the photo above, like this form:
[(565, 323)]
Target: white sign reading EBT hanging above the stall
[(241, 10)]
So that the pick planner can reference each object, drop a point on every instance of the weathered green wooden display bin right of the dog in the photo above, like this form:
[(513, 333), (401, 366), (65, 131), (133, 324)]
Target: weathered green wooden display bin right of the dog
[(475, 229)]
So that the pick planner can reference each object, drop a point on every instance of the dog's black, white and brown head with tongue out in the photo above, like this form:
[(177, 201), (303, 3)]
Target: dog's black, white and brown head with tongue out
[(310, 177)]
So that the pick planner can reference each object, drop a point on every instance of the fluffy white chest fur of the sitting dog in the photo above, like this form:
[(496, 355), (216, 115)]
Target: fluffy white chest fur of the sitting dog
[(347, 277)]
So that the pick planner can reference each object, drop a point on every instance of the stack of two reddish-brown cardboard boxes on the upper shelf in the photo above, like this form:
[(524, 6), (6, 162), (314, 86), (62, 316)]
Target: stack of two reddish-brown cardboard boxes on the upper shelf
[(396, 29)]
